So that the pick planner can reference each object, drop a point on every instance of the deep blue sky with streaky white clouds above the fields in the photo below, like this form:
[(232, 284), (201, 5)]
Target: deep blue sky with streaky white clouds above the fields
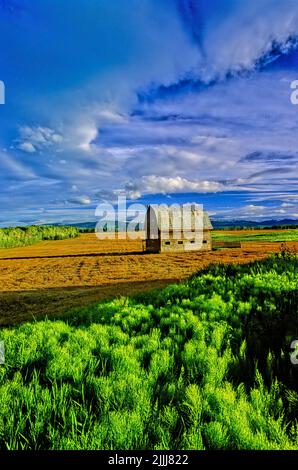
[(159, 100)]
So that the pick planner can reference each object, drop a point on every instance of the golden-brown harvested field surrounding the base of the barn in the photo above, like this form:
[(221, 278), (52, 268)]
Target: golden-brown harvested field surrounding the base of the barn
[(51, 277)]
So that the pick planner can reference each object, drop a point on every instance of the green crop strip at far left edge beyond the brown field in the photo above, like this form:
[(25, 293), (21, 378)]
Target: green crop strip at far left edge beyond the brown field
[(24, 236)]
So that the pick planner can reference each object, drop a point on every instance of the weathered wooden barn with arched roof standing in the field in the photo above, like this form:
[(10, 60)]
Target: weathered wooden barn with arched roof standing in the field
[(177, 229)]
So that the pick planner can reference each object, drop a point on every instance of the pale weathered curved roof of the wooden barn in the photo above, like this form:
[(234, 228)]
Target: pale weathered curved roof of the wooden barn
[(170, 218)]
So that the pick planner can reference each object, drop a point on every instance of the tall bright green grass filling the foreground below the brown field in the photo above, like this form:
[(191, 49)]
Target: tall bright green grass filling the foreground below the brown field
[(200, 365)]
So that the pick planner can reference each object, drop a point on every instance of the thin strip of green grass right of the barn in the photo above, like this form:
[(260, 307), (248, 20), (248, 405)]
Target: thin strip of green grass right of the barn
[(285, 236)]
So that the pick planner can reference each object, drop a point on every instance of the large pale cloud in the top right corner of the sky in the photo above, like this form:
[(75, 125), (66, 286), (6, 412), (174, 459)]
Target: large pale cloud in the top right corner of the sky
[(242, 33)]
